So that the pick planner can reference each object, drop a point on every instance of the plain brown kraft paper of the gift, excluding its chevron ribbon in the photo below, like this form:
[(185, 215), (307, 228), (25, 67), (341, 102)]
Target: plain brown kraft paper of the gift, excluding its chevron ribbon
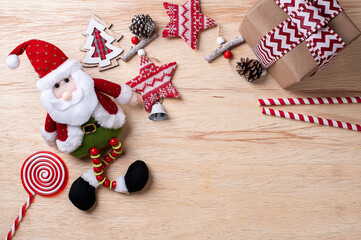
[(298, 63)]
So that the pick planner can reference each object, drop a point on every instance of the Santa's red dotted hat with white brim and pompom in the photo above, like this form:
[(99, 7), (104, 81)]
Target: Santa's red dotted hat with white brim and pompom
[(51, 64)]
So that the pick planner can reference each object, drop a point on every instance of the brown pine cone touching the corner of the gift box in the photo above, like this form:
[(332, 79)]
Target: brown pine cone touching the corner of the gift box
[(251, 69)]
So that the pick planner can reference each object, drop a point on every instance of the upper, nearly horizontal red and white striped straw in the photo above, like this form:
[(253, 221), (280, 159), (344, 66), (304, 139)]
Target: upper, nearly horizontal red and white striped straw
[(307, 101)]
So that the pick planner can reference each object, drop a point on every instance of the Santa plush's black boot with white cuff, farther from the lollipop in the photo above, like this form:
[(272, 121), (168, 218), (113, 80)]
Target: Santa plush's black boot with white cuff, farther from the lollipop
[(134, 180)]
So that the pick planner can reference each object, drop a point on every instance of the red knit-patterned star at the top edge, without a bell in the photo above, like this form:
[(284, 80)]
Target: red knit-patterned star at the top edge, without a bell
[(186, 21)]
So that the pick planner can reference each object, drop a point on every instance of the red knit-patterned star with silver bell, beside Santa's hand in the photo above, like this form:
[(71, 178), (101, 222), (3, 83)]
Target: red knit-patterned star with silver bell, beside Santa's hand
[(153, 82)]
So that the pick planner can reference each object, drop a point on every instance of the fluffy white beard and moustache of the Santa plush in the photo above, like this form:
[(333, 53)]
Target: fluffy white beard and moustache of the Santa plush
[(79, 109)]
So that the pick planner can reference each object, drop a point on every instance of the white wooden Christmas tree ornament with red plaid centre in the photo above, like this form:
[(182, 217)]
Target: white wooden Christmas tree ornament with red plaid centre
[(102, 45)]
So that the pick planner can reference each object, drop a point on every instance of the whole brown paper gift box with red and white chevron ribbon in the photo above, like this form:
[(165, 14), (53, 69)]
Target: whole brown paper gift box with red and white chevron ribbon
[(294, 39)]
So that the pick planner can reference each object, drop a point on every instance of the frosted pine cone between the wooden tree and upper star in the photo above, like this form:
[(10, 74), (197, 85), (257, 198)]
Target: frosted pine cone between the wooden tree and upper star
[(142, 25)]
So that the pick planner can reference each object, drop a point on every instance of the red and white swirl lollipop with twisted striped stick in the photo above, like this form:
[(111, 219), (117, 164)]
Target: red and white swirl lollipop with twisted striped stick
[(42, 173)]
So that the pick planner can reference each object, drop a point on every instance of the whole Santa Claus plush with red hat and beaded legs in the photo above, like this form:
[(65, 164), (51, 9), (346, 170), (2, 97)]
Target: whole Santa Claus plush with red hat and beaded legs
[(82, 118)]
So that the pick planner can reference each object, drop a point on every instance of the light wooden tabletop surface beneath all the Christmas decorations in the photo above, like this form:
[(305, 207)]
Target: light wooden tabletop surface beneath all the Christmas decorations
[(219, 168)]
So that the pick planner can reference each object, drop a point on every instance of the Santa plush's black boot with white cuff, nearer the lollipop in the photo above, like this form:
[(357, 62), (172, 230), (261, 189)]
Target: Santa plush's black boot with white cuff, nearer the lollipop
[(82, 191)]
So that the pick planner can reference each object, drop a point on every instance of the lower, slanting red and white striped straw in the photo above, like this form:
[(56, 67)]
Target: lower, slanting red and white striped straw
[(311, 119)]
